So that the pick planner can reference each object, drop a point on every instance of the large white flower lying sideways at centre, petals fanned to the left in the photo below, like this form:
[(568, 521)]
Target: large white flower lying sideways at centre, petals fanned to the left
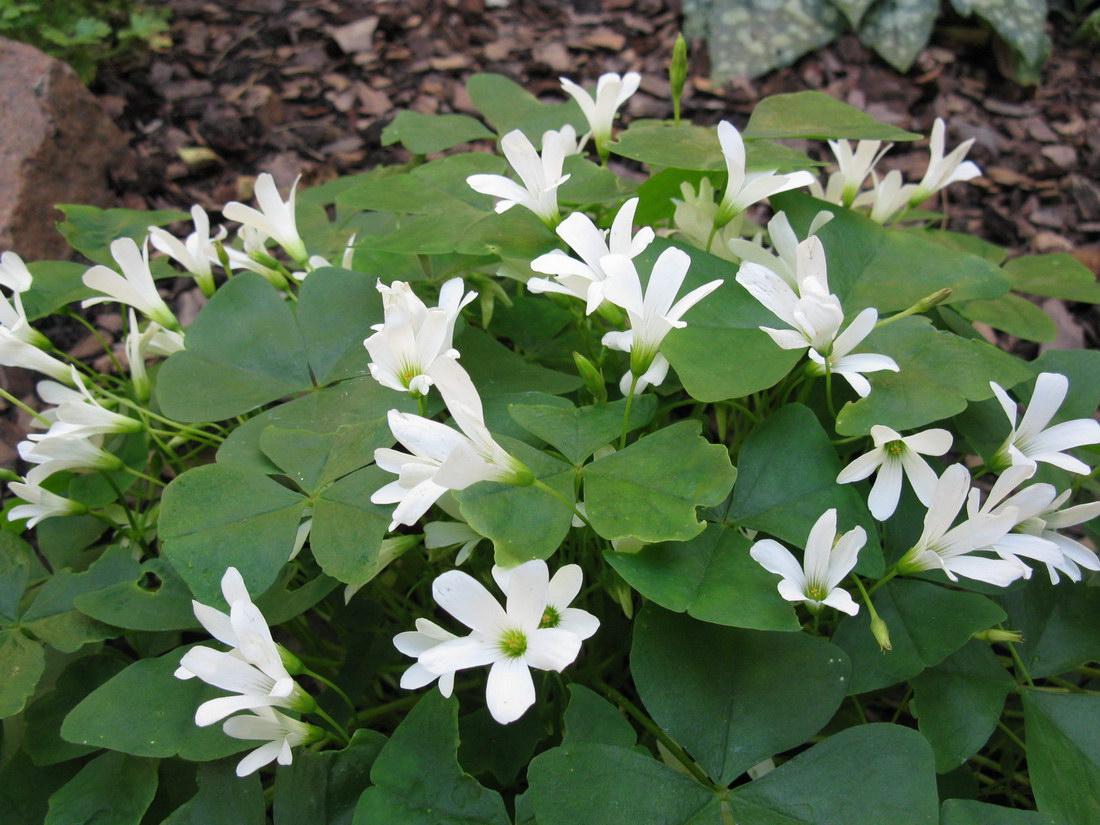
[(441, 458)]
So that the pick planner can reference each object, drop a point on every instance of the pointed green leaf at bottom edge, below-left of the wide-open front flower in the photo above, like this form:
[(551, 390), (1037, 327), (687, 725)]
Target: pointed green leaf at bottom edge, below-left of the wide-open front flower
[(423, 749)]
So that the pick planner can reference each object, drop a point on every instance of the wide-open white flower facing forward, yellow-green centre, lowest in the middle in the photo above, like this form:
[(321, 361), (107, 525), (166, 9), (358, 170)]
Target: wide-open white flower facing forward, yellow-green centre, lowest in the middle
[(510, 640)]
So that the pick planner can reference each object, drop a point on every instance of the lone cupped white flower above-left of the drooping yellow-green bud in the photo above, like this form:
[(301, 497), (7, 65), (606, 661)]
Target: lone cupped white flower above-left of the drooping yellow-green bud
[(829, 558)]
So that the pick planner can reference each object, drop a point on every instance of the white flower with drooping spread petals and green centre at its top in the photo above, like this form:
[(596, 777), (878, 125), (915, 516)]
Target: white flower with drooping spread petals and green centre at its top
[(893, 457)]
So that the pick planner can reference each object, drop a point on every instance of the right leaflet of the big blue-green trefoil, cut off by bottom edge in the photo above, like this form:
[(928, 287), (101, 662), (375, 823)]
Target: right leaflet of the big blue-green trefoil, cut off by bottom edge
[(868, 775)]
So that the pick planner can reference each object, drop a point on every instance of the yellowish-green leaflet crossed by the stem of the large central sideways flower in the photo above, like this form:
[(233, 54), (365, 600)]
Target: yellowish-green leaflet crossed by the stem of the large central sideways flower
[(505, 513)]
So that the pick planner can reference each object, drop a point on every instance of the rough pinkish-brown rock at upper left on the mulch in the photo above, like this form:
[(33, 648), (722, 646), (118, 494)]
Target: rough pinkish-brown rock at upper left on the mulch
[(57, 147)]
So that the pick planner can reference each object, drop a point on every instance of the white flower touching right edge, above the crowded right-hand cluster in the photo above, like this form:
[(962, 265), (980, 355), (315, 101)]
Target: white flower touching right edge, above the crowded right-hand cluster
[(1032, 441)]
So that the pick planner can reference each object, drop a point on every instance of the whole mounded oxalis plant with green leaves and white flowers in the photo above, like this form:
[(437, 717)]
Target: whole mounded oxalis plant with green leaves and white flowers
[(540, 487)]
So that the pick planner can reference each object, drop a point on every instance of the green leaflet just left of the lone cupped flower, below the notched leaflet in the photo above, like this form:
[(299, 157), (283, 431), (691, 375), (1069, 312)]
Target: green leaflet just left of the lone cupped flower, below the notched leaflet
[(712, 578)]
